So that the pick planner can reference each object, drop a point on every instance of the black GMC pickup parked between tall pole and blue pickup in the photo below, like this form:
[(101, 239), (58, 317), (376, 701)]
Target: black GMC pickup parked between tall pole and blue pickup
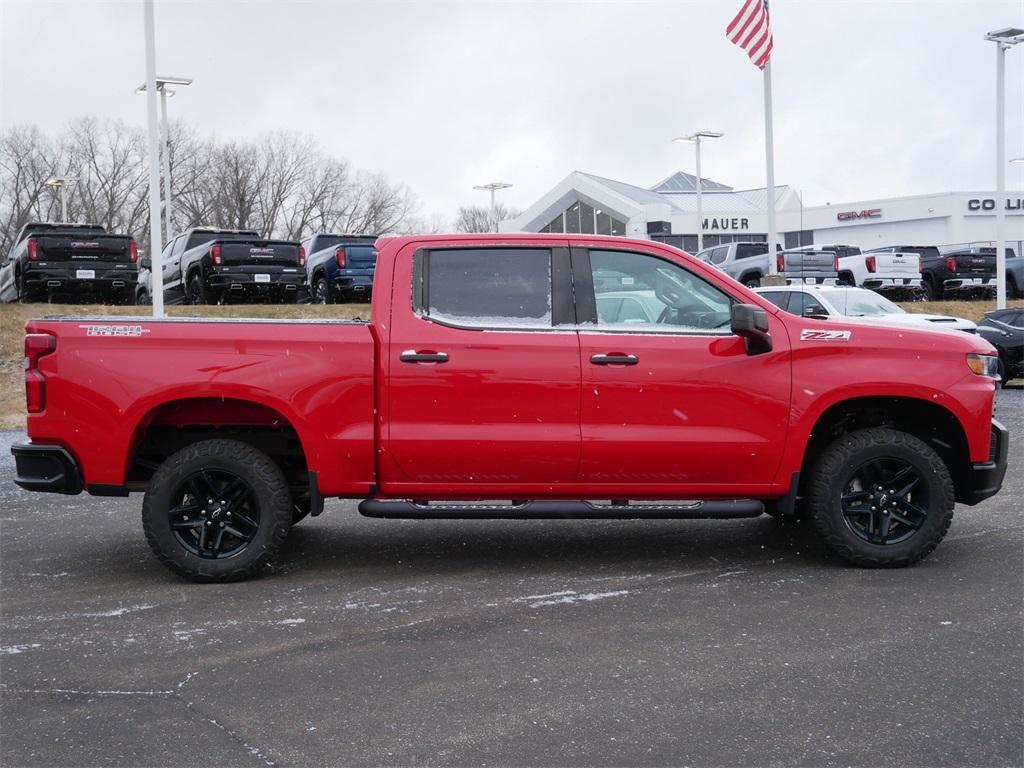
[(205, 266)]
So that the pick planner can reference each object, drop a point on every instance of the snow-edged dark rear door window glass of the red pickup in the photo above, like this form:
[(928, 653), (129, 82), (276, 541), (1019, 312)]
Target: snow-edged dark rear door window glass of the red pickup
[(490, 287)]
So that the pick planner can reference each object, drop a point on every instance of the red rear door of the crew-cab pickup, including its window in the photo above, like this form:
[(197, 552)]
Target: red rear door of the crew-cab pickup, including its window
[(483, 365)]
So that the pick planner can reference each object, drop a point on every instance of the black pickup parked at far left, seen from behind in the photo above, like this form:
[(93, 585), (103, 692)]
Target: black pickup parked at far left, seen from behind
[(70, 262)]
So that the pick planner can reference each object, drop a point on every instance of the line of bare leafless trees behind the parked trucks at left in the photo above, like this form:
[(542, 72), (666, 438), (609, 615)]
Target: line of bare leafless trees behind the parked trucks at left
[(282, 185)]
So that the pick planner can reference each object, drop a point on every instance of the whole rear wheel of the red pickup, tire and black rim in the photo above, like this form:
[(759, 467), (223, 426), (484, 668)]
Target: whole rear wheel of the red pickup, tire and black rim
[(218, 511)]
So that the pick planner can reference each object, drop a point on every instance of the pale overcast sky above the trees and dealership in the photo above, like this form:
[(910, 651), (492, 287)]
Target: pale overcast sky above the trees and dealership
[(873, 100)]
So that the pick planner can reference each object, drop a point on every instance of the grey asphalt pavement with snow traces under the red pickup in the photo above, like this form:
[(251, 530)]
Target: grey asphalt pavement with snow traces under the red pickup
[(568, 644)]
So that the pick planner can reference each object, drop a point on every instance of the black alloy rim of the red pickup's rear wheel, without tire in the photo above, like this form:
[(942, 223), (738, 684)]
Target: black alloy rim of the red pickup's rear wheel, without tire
[(218, 516)]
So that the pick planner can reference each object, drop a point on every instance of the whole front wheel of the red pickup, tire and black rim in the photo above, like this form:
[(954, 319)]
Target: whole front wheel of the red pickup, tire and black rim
[(881, 498)]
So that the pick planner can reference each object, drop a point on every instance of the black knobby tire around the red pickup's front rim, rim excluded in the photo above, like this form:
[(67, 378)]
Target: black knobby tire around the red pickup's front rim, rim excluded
[(836, 467)]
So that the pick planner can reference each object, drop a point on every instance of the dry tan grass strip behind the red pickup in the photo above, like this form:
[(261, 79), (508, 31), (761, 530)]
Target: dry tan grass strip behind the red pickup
[(14, 318)]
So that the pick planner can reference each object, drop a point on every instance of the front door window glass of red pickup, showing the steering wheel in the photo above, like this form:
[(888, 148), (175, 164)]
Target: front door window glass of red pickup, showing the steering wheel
[(658, 294)]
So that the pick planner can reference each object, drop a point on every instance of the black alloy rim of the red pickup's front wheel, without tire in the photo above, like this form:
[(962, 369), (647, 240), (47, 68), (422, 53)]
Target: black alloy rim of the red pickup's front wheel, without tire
[(885, 501)]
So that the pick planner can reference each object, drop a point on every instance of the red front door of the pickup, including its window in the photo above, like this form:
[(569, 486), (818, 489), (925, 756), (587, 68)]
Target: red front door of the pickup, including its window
[(671, 401)]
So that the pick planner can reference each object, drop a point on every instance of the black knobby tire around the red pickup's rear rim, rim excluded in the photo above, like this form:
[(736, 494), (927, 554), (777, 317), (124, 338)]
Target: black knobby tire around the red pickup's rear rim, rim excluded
[(273, 497)]
